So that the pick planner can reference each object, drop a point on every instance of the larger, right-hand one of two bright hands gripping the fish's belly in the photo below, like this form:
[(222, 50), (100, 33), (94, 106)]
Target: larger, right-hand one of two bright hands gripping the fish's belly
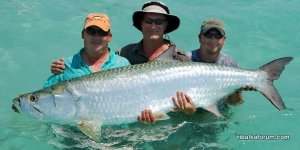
[(184, 103)]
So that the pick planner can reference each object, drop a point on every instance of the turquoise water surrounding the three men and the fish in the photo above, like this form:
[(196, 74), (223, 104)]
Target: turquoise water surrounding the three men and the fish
[(33, 33)]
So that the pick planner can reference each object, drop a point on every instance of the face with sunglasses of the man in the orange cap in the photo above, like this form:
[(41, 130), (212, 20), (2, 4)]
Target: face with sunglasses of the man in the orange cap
[(96, 39)]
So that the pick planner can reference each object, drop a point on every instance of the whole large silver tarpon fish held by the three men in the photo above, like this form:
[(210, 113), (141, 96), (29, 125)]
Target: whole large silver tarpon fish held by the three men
[(118, 96)]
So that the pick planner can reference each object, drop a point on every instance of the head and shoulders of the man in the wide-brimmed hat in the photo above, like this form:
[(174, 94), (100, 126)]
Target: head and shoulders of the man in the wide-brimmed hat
[(154, 21)]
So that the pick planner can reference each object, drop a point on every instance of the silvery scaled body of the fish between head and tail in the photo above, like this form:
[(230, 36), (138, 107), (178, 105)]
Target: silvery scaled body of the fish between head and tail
[(119, 95)]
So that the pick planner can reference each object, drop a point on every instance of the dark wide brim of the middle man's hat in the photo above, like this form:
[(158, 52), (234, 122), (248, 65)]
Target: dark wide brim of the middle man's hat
[(173, 21)]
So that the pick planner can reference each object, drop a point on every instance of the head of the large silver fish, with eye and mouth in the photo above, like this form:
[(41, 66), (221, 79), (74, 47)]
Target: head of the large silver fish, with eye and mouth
[(46, 105)]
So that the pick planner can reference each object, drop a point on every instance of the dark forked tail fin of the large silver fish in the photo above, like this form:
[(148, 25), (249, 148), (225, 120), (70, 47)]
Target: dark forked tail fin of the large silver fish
[(273, 70)]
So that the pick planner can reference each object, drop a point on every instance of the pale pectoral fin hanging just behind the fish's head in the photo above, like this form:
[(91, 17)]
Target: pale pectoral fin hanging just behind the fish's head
[(90, 128)]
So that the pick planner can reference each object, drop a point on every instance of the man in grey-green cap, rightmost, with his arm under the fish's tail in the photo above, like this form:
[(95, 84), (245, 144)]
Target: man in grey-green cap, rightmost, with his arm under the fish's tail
[(212, 39)]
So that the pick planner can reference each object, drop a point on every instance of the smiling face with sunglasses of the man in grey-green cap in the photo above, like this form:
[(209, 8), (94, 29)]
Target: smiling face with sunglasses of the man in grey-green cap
[(212, 42)]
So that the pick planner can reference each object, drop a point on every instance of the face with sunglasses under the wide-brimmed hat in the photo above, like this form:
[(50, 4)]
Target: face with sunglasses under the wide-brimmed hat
[(153, 26)]
